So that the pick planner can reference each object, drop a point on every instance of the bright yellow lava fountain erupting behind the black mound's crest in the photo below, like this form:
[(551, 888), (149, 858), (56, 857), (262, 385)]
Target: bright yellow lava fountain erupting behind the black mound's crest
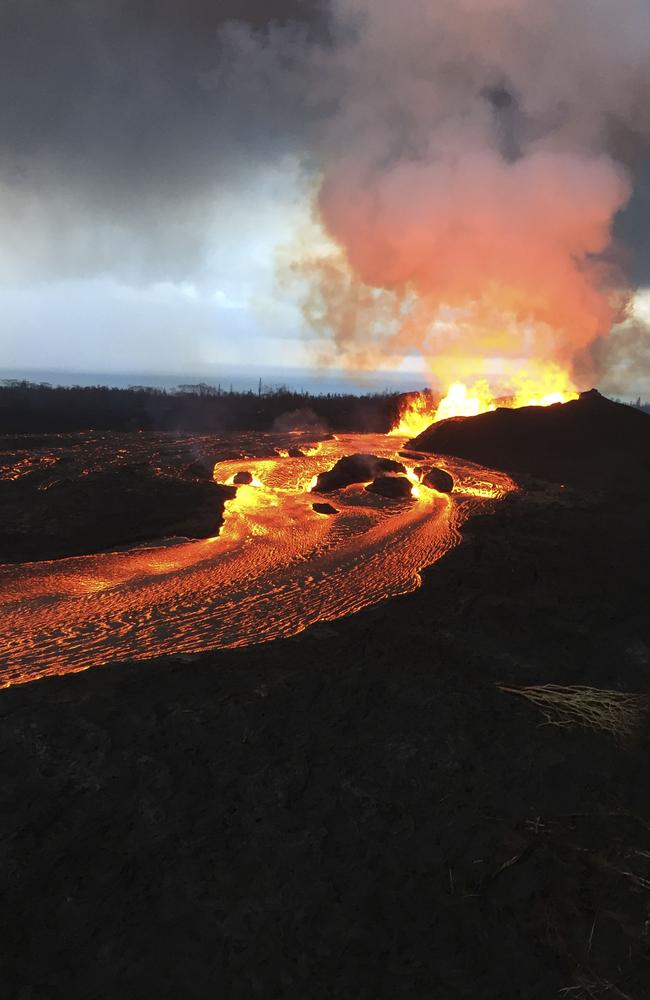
[(542, 386)]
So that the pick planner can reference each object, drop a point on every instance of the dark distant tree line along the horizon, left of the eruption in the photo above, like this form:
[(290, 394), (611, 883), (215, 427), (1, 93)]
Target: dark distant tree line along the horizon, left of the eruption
[(27, 407)]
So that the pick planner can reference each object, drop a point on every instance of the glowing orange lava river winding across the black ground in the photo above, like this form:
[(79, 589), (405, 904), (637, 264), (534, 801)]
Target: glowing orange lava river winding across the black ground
[(276, 568)]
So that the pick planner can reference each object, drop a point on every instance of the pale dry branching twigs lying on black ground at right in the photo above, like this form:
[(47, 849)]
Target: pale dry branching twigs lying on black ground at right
[(615, 712)]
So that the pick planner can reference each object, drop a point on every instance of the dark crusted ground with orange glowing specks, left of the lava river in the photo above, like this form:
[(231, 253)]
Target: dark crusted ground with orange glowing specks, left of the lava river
[(71, 494)]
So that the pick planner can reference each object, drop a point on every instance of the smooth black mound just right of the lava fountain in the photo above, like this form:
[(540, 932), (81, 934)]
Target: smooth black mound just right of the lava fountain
[(589, 441)]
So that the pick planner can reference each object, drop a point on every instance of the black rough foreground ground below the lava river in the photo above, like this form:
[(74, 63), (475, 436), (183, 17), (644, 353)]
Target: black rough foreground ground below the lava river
[(358, 812)]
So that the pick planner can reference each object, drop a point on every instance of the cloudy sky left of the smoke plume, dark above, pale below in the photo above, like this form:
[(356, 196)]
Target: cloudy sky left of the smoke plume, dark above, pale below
[(148, 169)]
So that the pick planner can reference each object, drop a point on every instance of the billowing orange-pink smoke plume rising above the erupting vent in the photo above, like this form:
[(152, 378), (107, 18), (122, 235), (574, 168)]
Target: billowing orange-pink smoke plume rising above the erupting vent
[(475, 159)]
